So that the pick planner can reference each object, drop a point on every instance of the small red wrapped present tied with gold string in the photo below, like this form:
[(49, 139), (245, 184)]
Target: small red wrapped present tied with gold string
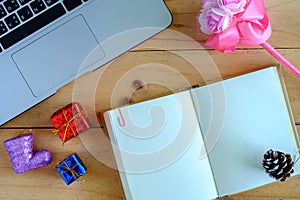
[(69, 121)]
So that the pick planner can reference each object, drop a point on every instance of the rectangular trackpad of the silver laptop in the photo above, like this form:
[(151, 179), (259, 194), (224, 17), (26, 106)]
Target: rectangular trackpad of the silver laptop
[(55, 58)]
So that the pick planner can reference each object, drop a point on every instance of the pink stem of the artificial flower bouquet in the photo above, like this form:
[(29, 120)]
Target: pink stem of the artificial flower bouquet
[(281, 59)]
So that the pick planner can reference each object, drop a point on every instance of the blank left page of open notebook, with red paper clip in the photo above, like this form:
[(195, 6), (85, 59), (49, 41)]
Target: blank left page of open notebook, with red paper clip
[(159, 146)]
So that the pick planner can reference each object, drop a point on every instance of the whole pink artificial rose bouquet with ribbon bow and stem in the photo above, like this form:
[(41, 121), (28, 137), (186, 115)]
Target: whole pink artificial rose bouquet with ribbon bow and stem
[(232, 22)]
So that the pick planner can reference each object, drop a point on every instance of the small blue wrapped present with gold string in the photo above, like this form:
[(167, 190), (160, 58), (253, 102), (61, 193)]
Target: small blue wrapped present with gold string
[(71, 168)]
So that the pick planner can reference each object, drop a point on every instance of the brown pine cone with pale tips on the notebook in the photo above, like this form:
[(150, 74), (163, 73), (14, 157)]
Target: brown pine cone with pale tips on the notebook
[(278, 164)]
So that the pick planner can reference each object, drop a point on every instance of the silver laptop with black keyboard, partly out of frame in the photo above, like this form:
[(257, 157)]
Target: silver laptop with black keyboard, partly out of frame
[(43, 43)]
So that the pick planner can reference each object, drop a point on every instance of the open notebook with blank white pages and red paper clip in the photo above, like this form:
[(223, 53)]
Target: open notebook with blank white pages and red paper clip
[(159, 144)]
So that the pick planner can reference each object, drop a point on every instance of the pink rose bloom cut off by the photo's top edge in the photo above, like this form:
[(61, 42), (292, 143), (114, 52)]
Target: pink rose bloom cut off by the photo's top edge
[(232, 6)]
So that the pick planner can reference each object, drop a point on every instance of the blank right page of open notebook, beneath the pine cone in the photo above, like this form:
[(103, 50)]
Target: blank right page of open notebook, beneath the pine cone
[(253, 118)]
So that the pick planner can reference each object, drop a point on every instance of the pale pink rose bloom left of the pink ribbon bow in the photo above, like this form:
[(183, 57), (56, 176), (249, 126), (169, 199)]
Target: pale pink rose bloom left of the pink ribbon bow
[(213, 19)]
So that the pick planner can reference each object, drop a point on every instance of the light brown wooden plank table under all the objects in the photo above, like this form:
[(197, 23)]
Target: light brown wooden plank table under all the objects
[(172, 56)]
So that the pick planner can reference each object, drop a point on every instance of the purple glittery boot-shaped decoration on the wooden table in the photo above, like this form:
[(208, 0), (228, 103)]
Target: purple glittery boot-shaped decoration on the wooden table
[(20, 150)]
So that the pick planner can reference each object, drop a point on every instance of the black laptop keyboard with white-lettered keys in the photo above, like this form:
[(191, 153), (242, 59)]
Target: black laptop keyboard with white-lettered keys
[(20, 18)]
